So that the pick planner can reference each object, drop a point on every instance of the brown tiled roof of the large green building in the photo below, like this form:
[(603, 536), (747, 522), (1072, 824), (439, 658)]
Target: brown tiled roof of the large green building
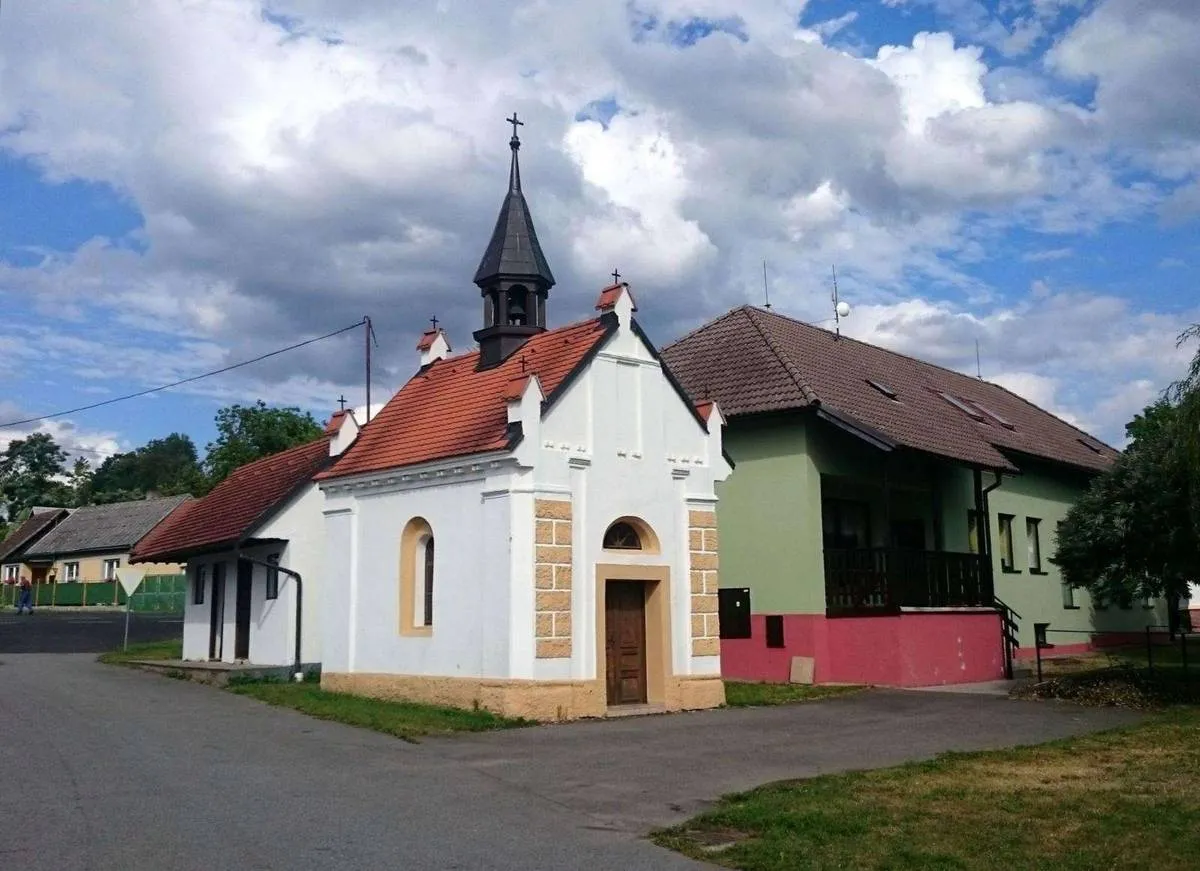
[(753, 361)]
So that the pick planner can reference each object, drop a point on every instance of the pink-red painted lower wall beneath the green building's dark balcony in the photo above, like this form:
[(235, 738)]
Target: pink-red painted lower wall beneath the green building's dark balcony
[(925, 648)]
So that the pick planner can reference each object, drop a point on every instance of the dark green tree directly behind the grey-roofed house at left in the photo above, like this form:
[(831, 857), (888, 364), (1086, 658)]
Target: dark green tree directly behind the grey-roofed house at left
[(167, 467)]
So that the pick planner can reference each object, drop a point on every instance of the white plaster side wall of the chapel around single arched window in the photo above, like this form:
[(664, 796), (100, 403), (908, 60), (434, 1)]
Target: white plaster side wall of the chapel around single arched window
[(471, 579)]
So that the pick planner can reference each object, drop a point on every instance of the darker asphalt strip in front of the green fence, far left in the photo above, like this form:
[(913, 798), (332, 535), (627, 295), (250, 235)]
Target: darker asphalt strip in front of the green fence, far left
[(82, 630)]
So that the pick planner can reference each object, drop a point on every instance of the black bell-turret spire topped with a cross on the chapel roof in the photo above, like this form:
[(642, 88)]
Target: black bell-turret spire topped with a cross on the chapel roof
[(513, 277)]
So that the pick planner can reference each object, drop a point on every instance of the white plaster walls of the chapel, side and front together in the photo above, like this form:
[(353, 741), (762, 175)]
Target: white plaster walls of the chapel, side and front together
[(656, 464)]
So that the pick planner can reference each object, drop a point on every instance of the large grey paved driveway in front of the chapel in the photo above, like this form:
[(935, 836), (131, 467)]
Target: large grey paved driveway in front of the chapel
[(105, 768)]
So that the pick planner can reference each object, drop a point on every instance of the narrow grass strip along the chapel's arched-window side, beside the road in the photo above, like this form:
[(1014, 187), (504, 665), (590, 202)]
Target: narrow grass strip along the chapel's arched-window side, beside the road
[(405, 720)]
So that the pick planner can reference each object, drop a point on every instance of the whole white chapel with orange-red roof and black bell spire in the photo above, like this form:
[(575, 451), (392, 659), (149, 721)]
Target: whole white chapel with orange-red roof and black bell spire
[(531, 526)]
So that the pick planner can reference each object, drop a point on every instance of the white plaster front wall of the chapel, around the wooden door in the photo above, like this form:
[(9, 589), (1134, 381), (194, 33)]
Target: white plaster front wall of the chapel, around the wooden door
[(622, 442)]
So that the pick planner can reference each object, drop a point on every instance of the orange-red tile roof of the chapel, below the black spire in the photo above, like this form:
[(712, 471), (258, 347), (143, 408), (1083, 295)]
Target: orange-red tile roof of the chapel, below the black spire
[(451, 409)]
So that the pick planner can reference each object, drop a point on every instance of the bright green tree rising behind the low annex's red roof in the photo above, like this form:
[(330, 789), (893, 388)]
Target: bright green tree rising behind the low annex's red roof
[(247, 434)]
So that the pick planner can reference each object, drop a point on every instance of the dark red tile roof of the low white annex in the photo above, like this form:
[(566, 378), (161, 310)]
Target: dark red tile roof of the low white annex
[(236, 508)]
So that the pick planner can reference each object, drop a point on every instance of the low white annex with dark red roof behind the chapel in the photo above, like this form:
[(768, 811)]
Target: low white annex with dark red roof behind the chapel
[(267, 514)]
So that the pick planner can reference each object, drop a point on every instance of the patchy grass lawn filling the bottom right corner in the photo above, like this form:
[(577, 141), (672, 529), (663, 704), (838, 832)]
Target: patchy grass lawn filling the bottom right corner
[(1124, 800)]
